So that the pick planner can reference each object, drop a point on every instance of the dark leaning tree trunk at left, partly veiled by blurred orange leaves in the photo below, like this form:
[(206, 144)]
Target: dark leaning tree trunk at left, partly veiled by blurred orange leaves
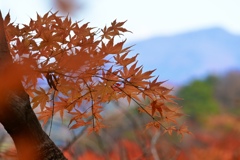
[(16, 114)]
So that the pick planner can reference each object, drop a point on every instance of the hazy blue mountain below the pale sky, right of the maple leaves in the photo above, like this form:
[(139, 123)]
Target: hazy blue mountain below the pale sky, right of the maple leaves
[(183, 57)]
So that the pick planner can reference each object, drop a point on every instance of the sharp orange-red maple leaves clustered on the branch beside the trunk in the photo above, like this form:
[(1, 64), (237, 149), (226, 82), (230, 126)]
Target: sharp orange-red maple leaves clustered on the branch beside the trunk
[(85, 69)]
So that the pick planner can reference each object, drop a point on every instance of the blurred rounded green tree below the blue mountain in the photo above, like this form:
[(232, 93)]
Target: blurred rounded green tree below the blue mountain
[(198, 99)]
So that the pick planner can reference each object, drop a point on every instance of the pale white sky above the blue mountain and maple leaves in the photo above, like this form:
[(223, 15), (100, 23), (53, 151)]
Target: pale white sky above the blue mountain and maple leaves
[(145, 19)]
